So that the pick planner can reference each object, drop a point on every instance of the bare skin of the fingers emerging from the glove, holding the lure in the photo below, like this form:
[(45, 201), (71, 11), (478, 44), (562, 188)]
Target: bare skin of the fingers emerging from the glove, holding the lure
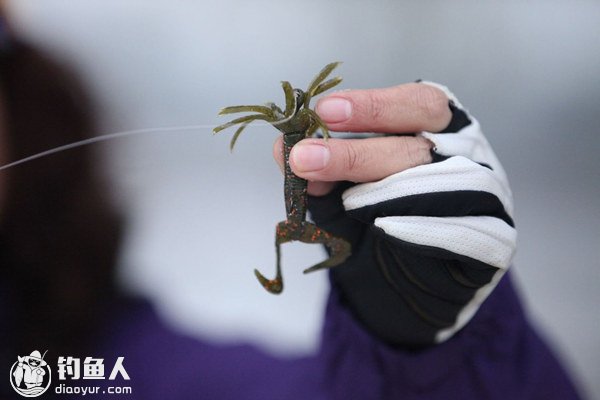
[(401, 109)]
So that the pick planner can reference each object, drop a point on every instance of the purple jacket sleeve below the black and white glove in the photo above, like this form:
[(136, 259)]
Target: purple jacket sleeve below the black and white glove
[(496, 356)]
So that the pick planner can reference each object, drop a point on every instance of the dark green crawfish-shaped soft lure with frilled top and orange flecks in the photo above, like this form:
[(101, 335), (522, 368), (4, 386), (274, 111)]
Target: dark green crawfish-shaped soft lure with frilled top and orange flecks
[(296, 122)]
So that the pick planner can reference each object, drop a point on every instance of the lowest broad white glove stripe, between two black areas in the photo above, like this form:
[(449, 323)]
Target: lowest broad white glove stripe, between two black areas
[(487, 239)]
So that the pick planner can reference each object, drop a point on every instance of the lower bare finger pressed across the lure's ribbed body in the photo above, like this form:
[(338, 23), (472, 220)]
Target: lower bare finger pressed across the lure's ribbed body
[(358, 160)]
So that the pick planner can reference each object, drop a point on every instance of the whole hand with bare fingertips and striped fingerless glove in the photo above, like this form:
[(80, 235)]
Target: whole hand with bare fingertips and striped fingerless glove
[(432, 232)]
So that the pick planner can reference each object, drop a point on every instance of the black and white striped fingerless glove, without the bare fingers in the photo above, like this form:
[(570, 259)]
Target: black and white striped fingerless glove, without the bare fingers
[(429, 243)]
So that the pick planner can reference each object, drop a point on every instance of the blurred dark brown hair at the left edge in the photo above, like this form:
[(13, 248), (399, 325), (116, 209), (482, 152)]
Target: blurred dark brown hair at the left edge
[(58, 233)]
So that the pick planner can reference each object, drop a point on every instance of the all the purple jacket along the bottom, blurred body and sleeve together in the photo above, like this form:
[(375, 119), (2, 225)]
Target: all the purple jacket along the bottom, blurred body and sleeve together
[(496, 356)]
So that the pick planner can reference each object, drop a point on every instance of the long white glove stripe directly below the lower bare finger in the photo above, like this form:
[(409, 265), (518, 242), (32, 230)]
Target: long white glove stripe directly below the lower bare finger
[(455, 174)]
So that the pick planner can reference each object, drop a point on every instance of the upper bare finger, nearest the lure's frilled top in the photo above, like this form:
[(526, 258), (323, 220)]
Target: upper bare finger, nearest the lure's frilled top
[(411, 107)]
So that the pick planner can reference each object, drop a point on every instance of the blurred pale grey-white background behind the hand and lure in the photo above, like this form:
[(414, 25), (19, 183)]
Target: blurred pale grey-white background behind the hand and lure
[(200, 218)]
